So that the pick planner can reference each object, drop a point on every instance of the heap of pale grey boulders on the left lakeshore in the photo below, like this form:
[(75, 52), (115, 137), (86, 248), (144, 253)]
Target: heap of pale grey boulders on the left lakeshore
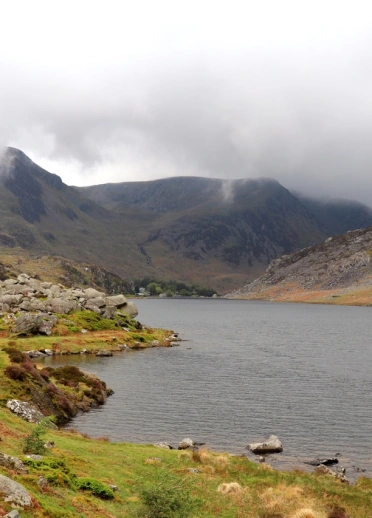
[(38, 303)]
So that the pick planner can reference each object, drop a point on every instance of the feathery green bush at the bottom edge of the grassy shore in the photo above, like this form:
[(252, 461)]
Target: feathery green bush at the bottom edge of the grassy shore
[(166, 497)]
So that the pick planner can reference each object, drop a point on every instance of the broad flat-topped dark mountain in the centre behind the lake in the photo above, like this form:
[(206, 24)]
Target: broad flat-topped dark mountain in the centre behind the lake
[(229, 229)]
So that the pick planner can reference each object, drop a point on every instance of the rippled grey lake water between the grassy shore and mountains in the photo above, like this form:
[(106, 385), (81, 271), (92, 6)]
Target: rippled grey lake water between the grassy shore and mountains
[(246, 370)]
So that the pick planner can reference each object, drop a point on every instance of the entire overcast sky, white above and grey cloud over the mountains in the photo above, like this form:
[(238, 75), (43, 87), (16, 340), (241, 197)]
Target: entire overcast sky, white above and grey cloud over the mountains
[(118, 91)]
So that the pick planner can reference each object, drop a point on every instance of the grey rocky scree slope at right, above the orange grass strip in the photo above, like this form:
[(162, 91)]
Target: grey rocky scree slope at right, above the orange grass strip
[(342, 262)]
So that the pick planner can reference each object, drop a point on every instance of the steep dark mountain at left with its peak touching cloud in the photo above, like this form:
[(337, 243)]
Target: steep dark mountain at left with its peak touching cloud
[(39, 212)]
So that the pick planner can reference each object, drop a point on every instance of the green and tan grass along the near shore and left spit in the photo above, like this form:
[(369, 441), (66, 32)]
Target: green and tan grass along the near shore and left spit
[(154, 482)]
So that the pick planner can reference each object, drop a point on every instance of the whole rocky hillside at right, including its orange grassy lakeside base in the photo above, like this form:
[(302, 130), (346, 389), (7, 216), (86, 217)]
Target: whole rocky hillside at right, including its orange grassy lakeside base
[(336, 271)]
